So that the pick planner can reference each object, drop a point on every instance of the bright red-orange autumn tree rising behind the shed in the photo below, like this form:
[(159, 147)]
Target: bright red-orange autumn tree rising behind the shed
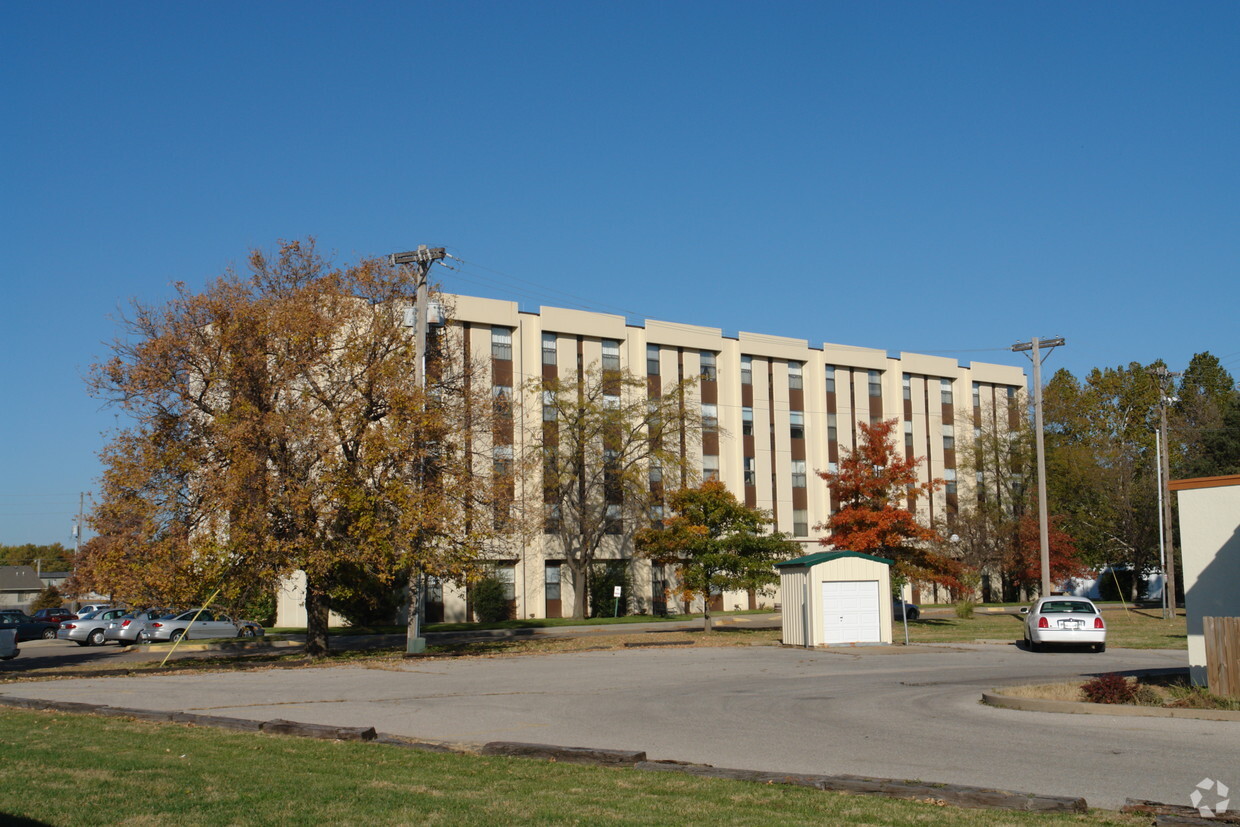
[(877, 490)]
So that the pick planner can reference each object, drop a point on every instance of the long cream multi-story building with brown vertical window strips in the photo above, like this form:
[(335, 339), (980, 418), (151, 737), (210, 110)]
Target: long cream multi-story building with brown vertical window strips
[(776, 412)]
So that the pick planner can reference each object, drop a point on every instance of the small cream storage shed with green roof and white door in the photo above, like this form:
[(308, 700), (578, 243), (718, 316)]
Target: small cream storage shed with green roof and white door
[(836, 599)]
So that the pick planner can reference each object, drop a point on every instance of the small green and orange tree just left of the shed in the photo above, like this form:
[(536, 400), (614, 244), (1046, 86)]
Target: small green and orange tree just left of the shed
[(716, 544)]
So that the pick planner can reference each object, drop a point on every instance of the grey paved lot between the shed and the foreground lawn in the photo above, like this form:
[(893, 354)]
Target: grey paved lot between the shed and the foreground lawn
[(893, 712)]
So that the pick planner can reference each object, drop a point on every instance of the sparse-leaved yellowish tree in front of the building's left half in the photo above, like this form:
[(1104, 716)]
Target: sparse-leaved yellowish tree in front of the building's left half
[(603, 449)]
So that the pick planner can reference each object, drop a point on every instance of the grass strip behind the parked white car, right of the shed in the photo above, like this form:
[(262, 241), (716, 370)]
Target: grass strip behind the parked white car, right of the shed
[(1131, 629)]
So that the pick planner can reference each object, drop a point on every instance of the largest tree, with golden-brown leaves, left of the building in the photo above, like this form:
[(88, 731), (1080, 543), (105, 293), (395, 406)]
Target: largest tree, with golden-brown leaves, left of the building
[(277, 427)]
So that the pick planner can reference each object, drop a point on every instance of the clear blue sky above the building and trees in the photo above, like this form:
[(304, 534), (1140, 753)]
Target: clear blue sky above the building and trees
[(944, 178)]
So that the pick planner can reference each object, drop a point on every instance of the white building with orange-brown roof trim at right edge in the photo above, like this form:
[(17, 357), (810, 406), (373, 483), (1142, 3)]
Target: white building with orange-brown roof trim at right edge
[(1210, 537)]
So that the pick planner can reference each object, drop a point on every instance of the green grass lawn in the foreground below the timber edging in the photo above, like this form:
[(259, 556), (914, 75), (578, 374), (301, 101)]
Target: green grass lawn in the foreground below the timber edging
[(68, 769)]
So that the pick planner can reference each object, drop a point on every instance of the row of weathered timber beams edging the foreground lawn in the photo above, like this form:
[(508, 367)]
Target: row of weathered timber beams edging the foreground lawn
[(953, 794)]
